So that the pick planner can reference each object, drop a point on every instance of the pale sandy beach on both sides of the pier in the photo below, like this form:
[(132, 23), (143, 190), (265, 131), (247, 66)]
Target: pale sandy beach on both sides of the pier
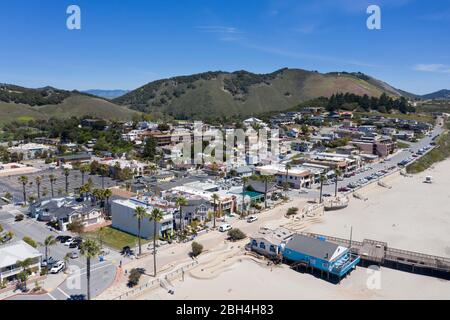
[(411, 215)]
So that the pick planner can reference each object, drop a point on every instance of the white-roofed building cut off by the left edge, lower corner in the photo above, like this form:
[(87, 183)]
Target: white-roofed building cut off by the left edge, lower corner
[(11, 253)]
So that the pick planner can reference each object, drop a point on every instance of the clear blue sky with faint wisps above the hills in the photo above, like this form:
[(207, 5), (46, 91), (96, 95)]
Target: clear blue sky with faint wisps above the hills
[(127, 43)]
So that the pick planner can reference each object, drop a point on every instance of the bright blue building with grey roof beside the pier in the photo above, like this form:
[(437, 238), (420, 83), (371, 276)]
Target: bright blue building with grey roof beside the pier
[(319, 254)]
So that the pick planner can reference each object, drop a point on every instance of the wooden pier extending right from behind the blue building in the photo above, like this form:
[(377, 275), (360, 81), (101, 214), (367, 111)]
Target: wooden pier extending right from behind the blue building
[(377, 252)]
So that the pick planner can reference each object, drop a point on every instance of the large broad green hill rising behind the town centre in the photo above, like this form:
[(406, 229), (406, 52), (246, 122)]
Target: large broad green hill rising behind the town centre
[(217, 94)]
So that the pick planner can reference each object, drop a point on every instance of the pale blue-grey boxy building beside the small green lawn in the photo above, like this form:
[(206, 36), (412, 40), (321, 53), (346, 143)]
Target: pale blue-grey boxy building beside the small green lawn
[(123, 211)]
